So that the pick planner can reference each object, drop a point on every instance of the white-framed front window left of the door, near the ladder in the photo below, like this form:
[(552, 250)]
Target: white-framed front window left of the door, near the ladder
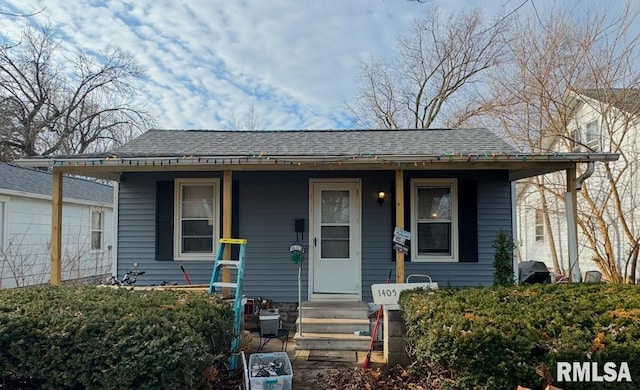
[(197, 218)]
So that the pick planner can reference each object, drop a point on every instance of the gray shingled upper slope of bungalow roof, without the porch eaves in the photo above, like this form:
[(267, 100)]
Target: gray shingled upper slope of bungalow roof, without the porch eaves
[(163, 143)]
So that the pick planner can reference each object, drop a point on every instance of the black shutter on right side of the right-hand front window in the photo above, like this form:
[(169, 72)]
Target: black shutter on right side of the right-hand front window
[(468, 221)]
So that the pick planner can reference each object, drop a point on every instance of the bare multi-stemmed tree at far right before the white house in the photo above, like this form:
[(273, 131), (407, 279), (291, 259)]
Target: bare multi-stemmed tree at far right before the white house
[(558, 61)]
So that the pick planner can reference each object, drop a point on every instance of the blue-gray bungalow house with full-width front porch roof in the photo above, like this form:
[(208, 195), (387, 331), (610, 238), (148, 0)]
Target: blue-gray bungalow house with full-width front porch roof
[(181, 191)]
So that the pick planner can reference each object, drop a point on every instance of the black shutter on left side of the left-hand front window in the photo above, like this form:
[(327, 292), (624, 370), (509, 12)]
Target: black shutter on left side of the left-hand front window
[(164, 220)]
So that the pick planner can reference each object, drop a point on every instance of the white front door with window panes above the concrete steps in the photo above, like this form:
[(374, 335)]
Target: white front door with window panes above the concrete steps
[(335, 255)]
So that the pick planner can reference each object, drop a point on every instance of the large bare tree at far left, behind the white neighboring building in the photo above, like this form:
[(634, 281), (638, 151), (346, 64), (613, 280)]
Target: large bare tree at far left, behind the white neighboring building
[(52, 105)]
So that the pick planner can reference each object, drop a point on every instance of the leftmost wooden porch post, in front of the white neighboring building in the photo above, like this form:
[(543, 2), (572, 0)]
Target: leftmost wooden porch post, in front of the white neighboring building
[(56, 228)]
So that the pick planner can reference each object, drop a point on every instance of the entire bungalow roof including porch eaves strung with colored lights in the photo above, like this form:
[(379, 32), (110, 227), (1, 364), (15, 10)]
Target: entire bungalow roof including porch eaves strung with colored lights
[(180, 150)]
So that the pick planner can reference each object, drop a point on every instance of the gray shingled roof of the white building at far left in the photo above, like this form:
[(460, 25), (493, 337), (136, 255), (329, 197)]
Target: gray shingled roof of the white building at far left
[(33, 181)]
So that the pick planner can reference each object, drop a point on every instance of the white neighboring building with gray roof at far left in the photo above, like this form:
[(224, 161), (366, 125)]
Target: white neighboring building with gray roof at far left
[(25, 227)]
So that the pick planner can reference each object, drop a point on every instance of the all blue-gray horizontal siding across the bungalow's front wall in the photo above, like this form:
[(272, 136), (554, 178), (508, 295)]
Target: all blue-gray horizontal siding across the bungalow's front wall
[(269, 202)]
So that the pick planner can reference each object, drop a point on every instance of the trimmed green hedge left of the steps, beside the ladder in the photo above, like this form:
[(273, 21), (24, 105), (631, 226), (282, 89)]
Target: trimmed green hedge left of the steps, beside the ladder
[(92, 337)]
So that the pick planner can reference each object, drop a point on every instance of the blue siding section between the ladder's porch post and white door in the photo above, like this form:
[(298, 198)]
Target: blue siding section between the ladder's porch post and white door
[(269, 204)]
